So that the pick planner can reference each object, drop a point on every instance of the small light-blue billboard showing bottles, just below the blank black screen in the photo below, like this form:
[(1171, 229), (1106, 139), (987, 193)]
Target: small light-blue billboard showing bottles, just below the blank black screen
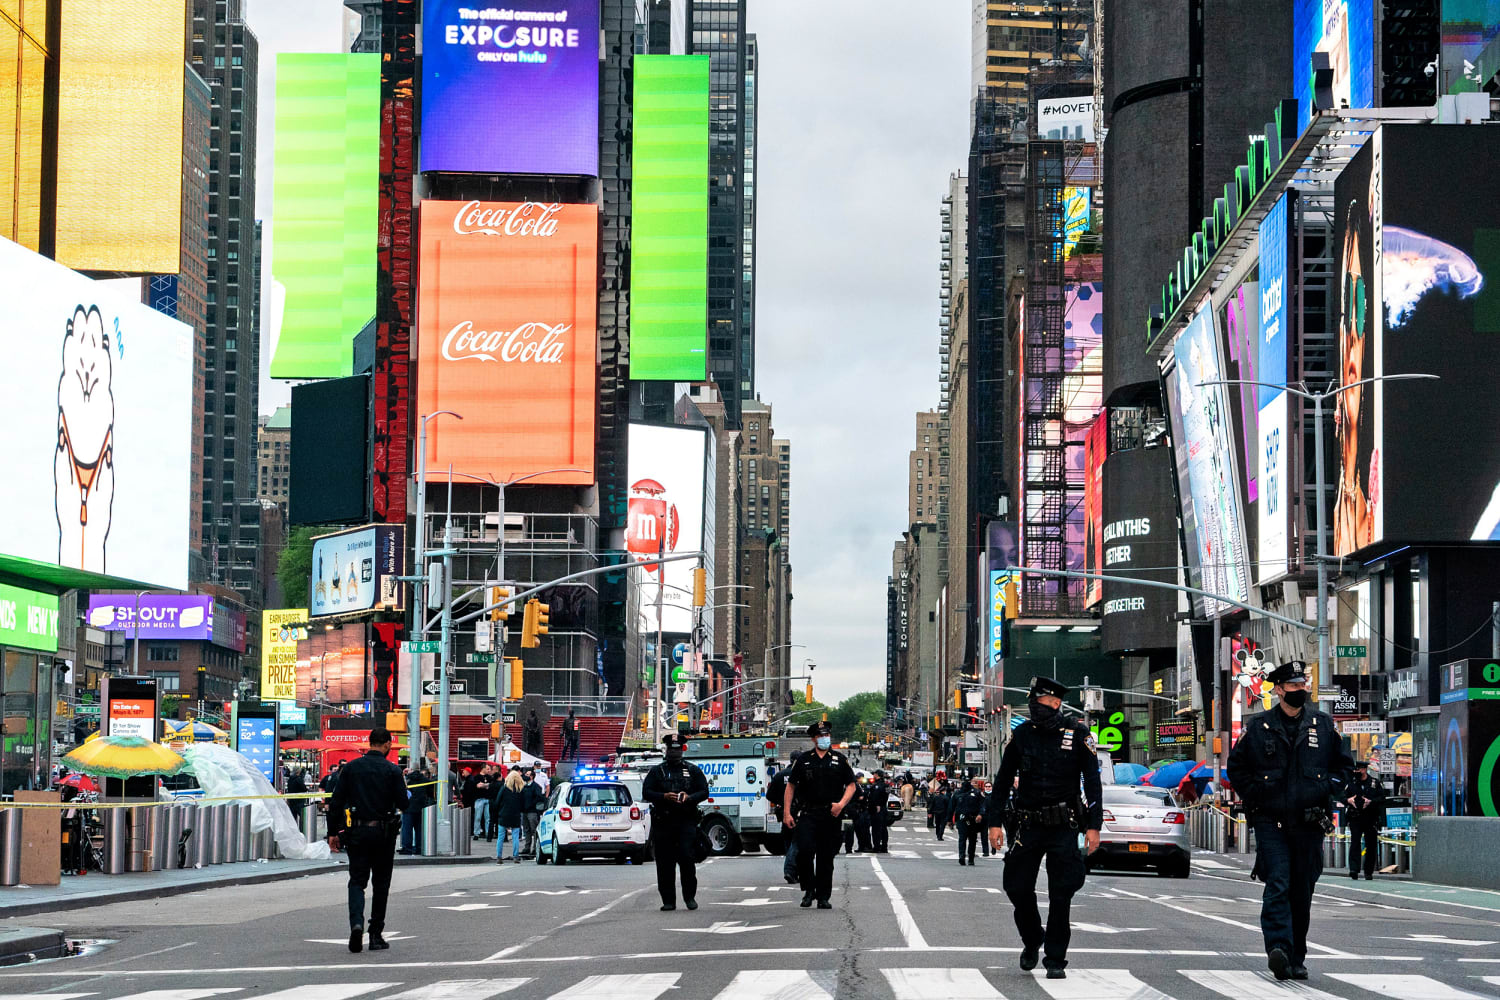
[(358, 570)]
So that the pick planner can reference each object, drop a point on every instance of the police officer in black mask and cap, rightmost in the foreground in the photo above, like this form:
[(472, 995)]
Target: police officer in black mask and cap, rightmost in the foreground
[(1288, 767)]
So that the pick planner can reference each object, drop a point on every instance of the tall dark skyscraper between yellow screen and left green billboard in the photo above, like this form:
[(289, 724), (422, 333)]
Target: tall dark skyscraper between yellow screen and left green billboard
[(226, 55)]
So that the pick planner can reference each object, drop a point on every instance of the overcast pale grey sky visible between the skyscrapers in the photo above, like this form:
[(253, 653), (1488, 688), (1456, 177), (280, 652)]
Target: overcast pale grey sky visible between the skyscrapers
[(863, 116)]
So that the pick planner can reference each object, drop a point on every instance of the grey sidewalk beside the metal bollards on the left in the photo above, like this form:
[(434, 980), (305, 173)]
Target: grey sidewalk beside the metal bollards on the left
[(77, 893)]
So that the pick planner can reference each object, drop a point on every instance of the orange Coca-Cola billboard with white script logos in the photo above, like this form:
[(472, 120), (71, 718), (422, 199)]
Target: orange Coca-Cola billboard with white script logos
[(508, 325)]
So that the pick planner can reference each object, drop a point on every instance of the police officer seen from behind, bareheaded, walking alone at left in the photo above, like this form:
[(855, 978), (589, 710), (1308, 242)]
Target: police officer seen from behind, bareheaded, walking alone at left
[(365, 818)]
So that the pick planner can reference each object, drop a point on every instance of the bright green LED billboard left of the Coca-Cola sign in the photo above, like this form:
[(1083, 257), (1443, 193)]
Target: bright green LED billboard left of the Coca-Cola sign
[(325, 208)]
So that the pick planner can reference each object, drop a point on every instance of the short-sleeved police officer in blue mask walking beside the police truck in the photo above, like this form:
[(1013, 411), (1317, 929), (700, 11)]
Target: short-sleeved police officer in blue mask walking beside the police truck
[(818, 791)]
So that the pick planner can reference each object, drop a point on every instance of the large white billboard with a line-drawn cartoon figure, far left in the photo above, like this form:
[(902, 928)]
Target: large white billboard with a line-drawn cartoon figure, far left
[(107, 385)]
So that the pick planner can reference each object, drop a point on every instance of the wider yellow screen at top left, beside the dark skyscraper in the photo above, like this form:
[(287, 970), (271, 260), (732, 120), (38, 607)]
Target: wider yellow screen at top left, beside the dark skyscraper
[(121, 136)]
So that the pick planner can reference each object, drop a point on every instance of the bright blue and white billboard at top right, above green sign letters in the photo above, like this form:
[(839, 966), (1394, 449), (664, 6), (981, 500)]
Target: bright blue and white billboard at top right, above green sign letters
[(1345, 29)]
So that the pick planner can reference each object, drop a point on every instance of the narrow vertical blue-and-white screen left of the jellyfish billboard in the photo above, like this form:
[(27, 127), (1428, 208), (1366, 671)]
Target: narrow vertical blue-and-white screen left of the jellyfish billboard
[(1274, 406)]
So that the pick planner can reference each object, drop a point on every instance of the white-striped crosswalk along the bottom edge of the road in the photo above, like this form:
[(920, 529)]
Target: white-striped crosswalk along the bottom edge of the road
[(904, 984)]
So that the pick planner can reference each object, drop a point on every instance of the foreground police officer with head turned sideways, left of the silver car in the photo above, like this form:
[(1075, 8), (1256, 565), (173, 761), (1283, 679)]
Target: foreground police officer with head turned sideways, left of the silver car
[(1052, 761)]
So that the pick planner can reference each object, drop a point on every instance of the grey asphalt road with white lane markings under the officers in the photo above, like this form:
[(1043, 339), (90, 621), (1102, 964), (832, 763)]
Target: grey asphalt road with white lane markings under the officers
[(907, 924)]
